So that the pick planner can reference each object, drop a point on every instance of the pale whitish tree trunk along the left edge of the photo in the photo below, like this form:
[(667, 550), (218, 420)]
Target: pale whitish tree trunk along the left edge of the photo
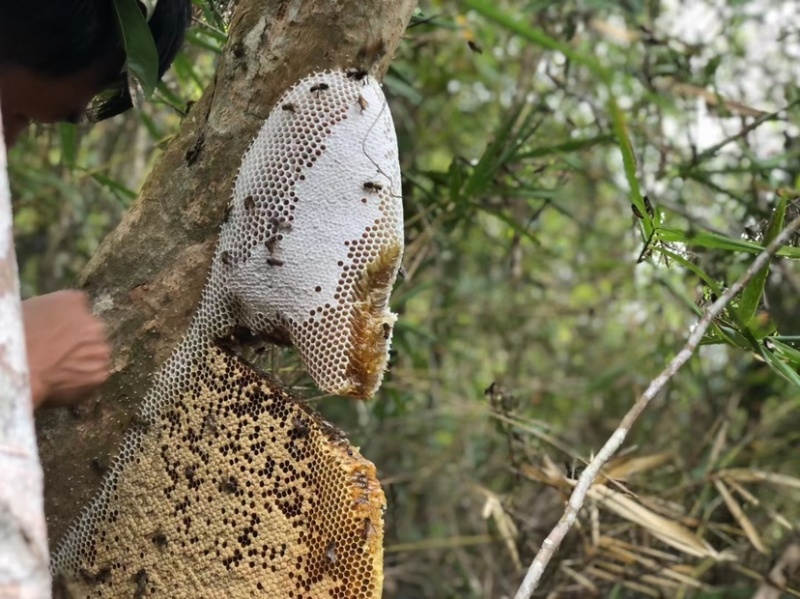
[(23, 535)]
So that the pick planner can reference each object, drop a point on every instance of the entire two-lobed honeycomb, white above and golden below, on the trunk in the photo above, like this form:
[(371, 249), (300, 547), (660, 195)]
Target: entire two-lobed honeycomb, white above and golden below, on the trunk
[(225, 485)]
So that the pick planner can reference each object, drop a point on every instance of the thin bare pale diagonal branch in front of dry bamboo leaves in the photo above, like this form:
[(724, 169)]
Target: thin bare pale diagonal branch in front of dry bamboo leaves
[(553, 540)]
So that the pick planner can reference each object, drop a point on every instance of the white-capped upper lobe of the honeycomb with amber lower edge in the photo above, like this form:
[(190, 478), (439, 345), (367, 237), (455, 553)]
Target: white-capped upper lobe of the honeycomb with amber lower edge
[(315, 232)]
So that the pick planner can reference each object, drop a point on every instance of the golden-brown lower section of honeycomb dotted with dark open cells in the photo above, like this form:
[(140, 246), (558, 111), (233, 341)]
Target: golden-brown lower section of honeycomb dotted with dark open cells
[(236, 489)]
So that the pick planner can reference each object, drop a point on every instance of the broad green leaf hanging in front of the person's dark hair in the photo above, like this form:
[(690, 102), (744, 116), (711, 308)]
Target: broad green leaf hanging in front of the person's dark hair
[(140, 49)]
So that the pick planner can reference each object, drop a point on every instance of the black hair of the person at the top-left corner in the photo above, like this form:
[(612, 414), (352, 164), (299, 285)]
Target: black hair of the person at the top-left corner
[(61, 37)]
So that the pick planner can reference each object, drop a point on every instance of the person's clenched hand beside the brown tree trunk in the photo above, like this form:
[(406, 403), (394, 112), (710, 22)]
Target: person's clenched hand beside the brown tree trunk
[(68, 355)]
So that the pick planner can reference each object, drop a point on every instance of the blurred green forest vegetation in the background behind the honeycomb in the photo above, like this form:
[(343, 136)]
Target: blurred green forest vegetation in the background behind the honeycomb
[(581, 179)]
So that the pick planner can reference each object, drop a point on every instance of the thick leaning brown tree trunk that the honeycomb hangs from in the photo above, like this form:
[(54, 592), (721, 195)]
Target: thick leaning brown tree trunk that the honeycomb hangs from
[(147, 276)]
